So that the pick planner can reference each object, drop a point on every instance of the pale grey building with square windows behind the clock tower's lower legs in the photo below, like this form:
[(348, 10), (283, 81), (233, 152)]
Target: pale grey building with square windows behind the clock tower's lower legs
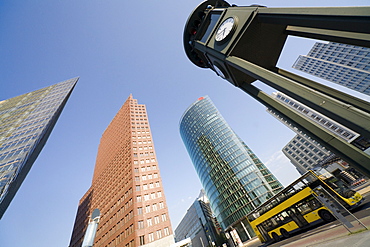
[(307, 154)]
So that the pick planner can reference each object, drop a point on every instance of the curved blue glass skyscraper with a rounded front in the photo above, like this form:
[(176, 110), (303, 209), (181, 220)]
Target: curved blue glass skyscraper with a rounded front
[(234, 179)]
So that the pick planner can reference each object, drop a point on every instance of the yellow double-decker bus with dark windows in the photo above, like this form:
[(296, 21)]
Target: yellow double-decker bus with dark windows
[(296, 207)]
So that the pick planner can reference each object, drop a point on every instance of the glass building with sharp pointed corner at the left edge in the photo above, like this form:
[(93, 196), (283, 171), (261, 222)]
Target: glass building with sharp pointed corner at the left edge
[(26, 122)]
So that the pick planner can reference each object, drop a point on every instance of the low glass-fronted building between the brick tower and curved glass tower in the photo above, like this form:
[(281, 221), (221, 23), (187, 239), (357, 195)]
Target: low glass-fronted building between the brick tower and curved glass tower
[(199, 225)]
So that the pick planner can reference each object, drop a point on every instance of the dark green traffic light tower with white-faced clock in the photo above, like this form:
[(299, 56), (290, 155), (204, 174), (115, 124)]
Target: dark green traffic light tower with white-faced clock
[(243, 44)]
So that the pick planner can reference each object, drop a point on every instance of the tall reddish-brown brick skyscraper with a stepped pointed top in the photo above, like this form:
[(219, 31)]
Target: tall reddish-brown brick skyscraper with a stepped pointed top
[(126, 186)]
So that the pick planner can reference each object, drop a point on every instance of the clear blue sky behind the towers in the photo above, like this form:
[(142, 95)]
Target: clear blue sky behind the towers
[(118, 48)]
